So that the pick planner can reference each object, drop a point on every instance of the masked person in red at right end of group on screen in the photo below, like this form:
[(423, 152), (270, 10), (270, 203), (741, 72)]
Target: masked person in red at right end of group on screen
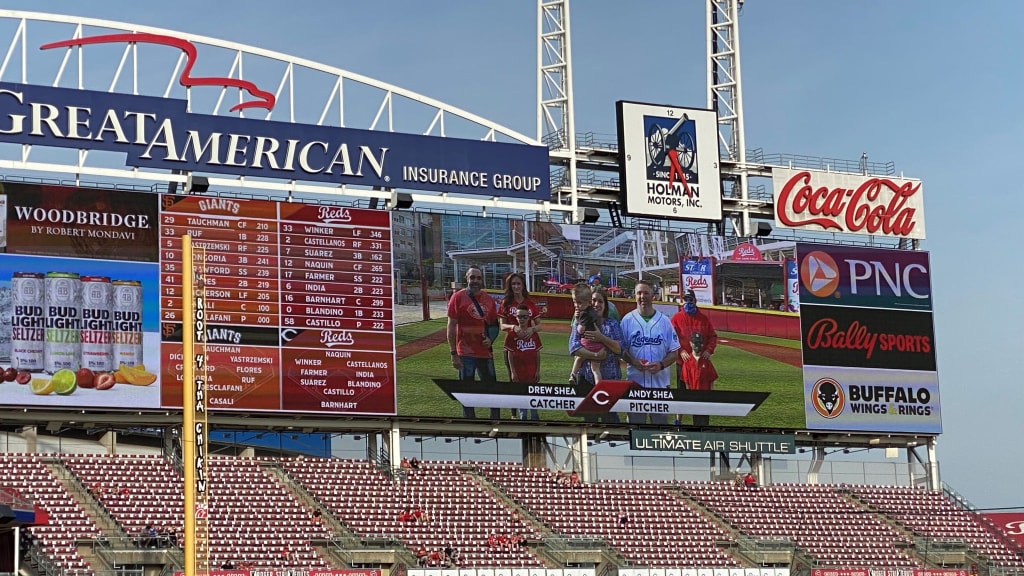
[(695, 367)]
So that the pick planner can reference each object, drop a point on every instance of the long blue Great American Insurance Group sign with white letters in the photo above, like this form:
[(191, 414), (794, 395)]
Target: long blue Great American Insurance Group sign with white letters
[(159, 134)]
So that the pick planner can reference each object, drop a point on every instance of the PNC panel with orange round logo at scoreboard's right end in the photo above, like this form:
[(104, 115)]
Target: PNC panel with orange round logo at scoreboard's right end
[(865, 277)]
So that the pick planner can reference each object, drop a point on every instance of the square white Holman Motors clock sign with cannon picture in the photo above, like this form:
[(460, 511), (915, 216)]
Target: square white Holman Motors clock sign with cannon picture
[(669, 162)]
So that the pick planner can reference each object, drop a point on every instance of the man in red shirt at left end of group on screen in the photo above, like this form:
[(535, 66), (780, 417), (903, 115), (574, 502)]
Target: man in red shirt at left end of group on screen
[(472, 313)]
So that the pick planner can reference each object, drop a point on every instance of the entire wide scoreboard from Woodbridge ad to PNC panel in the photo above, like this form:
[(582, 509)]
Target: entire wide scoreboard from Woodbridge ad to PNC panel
[(306, 305)]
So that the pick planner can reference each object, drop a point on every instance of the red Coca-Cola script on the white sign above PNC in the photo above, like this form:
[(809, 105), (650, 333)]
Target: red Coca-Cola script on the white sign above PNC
[(876, 207)]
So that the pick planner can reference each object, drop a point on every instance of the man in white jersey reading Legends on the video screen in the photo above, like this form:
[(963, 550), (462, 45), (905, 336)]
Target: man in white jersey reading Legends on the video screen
[(652, 348)]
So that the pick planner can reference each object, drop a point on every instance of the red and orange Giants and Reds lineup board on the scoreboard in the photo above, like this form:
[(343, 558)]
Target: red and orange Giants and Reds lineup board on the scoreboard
[(298, 305)]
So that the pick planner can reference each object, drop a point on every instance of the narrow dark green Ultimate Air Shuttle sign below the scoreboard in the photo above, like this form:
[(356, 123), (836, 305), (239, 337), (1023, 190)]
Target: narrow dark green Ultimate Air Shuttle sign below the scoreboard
[(712, 442)]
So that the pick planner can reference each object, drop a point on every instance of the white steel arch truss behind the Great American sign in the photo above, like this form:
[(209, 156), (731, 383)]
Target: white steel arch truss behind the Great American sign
[(347, 99)]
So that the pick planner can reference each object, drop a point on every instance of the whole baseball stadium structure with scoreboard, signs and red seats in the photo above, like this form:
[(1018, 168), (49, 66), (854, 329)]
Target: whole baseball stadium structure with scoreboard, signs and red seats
[(261, 316)]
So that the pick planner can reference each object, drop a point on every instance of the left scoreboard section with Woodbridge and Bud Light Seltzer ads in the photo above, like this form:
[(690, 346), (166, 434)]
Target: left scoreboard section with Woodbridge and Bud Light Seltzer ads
[(79, 299)]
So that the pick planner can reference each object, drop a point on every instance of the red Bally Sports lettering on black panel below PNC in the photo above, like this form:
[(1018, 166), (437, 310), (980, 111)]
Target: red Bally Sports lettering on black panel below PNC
[(826, 334)]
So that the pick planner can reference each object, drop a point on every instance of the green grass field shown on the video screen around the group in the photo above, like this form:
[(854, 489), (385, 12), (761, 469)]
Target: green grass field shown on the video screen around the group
[(739, 371)]
